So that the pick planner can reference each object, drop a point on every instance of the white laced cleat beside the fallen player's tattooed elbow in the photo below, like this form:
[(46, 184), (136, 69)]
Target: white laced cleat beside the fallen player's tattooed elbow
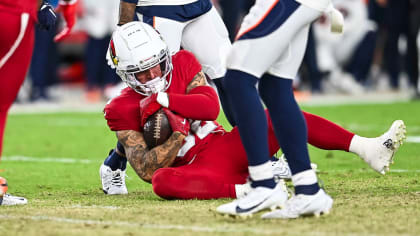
[(113, 182)]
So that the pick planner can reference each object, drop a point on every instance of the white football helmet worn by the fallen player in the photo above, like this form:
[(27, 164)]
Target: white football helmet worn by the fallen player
[(137, 47)]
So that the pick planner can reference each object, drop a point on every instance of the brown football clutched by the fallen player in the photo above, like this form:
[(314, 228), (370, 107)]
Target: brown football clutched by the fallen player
[(157, 129)]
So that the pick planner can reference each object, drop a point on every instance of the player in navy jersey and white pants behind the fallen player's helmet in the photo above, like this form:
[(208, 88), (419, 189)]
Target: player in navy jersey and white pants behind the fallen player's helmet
[(189, 24)]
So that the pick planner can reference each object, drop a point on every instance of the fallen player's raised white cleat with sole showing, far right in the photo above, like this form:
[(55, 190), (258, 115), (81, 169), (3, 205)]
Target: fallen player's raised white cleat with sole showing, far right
[(379, 152)]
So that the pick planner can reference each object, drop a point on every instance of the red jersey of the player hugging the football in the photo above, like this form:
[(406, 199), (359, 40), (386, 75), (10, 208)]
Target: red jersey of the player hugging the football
[(123, 112)]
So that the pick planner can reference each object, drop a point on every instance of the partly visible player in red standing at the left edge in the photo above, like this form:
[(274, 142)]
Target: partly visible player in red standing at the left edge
[(16, 44)]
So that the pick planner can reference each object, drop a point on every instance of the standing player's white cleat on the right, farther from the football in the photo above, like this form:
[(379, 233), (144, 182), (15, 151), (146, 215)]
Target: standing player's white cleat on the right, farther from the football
[(303, 205)]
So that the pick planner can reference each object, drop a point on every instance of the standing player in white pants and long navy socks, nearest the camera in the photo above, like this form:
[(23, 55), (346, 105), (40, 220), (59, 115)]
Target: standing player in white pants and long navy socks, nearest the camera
[(268, 50)]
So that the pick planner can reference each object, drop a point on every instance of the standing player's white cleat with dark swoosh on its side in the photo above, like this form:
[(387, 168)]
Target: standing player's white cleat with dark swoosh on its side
[(260, 198)]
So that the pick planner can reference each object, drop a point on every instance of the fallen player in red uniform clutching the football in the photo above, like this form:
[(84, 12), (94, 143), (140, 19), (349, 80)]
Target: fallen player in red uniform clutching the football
[(200, 159)]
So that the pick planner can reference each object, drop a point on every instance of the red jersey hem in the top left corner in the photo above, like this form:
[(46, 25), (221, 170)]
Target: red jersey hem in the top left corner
[(20, 6)]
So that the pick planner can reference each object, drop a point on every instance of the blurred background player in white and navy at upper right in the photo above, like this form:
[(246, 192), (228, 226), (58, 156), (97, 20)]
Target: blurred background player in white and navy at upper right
[(348, 57)]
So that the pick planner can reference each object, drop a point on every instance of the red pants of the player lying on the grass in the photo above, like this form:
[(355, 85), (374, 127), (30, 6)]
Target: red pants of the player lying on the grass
[(221, 162)]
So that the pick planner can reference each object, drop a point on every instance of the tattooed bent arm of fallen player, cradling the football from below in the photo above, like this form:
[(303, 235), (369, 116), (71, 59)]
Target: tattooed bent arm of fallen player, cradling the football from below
[(144, 161)]
